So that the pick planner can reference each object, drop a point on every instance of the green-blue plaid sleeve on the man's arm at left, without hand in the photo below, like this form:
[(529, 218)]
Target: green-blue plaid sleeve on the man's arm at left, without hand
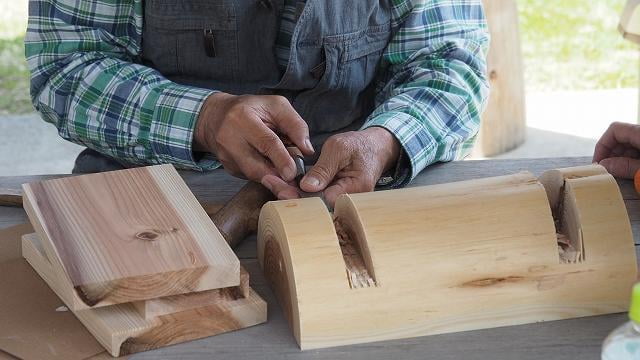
[(82, 56)]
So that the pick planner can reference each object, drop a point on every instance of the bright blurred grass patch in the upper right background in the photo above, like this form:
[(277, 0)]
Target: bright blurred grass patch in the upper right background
[(575, 45)]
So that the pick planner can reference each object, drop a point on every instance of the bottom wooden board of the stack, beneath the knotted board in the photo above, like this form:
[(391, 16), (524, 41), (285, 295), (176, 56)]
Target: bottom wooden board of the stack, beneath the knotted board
[(122, 330)]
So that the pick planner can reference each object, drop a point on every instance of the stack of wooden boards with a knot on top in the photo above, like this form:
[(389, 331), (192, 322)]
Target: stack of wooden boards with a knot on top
[(137, 259)]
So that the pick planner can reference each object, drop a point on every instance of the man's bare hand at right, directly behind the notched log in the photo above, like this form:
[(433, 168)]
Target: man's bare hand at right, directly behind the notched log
[(349, 163)]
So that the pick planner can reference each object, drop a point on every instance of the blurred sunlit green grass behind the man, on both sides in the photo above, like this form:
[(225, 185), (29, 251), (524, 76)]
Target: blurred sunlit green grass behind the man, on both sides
[(566, 45)]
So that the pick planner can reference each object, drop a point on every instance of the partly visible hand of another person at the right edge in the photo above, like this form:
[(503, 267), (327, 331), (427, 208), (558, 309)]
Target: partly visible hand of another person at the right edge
[(618, 150)]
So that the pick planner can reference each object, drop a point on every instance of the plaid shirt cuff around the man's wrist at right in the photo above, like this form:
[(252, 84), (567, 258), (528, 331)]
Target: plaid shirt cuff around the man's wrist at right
[(418, 146)]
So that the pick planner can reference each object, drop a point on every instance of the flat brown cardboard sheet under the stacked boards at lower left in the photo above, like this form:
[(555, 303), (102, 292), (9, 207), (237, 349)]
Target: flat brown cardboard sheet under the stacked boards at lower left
[(33, 320)]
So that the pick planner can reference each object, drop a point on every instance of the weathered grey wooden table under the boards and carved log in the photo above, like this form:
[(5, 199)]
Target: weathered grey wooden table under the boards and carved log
[(567, 339)]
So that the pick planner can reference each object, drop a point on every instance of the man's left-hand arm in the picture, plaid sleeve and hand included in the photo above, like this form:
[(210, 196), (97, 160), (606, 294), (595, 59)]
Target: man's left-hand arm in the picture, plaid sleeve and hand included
[(85, 79)]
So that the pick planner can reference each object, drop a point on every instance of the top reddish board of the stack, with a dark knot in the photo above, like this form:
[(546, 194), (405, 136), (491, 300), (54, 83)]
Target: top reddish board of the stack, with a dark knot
[(129, 235)]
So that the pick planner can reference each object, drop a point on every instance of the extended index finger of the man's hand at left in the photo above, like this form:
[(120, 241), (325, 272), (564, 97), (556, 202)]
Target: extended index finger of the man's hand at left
[(288, 122)]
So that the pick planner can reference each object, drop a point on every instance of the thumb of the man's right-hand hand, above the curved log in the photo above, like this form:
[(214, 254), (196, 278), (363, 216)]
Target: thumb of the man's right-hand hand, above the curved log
[(333, 158)]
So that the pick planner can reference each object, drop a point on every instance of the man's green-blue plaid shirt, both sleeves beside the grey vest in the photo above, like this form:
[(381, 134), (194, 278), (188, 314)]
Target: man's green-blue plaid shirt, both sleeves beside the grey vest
[(85, 80)]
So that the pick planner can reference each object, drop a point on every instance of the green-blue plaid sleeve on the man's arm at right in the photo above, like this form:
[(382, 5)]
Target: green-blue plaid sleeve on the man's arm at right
[(434, 87)]
